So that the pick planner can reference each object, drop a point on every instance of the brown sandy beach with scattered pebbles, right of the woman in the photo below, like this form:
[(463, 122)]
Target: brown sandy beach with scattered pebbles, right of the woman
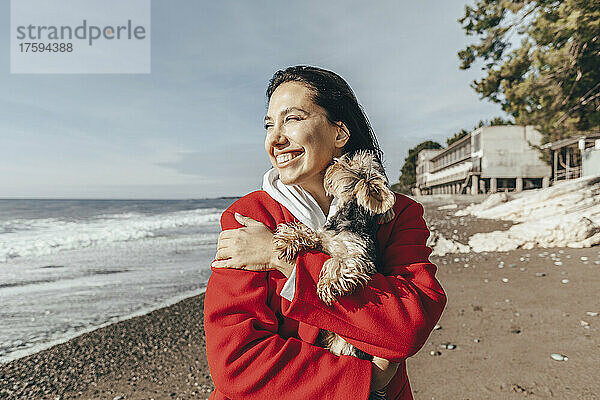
[(507, 313)]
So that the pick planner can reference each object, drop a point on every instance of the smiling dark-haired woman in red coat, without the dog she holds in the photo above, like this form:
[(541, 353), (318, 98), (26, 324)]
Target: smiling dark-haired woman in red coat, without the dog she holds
[(263, 315)]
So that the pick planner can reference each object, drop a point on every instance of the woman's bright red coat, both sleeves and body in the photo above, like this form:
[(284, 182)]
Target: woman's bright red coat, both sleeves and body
[(261, 346)]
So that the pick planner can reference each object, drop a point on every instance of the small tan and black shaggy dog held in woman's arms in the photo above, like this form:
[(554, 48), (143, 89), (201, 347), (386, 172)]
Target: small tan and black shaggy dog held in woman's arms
[(359, 184)]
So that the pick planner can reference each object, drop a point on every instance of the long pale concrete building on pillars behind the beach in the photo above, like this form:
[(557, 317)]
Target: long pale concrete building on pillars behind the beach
[(487, 160)]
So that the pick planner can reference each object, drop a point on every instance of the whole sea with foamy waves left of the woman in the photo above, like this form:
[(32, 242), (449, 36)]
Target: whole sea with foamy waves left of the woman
[(71, 266)]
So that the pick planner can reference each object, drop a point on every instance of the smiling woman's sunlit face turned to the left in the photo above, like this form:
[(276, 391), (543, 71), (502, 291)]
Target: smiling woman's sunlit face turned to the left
[(300, 140)]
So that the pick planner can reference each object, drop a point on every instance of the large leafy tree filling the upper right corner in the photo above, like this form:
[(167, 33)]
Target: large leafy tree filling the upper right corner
[(552, 78)]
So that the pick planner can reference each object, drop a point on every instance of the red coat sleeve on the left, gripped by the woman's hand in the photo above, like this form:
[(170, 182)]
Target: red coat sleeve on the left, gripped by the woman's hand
[(246, 356)]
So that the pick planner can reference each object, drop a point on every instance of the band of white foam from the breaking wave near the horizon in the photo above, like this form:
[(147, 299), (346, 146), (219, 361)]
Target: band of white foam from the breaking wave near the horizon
[(37, 237)]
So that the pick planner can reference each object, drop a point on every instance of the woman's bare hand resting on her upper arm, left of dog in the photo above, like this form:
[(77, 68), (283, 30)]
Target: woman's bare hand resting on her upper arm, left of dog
[(249, 248)]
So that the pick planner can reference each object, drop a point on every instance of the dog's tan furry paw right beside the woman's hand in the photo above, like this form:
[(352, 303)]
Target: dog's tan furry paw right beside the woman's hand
[(290, 239)]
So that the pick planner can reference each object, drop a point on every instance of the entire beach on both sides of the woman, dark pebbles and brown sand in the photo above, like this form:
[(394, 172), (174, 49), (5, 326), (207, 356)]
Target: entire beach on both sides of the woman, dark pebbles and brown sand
[(507, 313)]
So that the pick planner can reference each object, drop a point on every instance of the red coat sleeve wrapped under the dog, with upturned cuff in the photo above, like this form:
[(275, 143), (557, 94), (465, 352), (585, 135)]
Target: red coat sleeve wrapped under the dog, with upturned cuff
[(392, 316)]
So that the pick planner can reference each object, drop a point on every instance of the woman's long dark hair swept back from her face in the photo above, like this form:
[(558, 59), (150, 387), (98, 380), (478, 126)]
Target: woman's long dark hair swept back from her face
[(331, 92)]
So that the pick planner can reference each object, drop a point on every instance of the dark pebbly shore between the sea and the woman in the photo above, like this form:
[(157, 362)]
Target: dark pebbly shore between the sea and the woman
[(159, 355)]
